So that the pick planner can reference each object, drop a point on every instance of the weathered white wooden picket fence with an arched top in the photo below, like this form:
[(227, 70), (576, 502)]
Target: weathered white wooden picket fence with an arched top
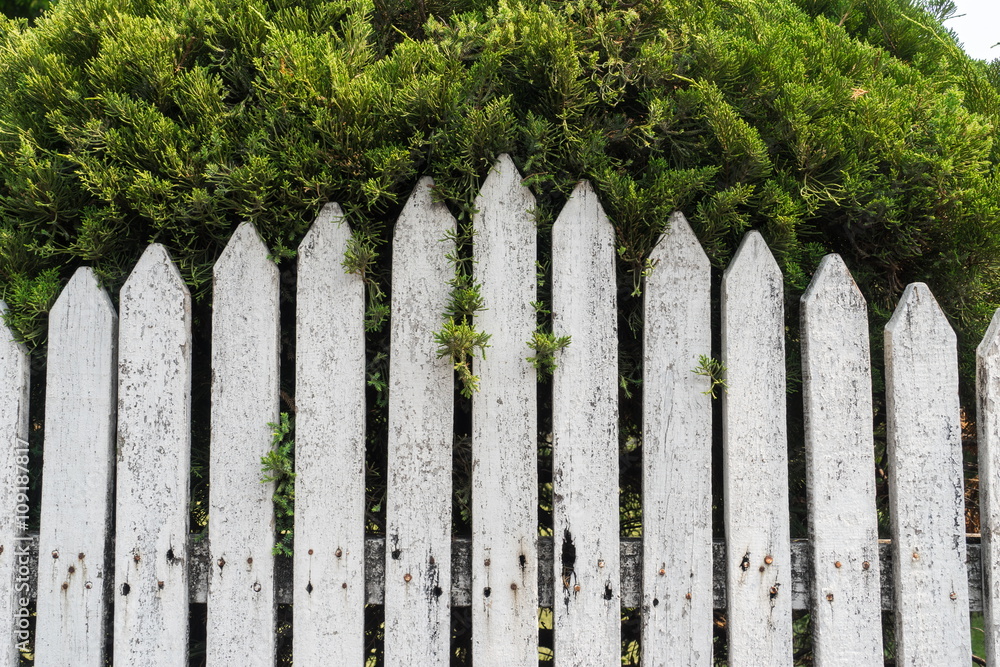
[(118, 413)]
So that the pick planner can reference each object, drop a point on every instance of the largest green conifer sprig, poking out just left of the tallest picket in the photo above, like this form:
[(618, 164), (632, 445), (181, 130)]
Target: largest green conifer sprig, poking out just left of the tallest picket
[(458, 338)]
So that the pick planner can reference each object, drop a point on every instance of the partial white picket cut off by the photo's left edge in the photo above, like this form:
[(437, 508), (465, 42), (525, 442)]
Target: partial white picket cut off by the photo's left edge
[(14, 544)]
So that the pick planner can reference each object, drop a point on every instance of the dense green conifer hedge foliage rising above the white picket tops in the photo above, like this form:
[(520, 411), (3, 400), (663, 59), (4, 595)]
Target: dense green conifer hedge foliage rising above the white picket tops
[(854, 126)]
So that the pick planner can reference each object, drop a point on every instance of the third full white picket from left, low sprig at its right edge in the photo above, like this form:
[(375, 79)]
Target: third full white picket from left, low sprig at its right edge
[(245, 347)]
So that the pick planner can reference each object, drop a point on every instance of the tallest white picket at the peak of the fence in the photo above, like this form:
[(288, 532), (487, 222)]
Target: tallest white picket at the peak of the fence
[(504, 431)]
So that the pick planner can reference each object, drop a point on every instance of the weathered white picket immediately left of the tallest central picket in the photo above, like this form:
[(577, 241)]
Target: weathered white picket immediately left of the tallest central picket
[(421, 400)]
